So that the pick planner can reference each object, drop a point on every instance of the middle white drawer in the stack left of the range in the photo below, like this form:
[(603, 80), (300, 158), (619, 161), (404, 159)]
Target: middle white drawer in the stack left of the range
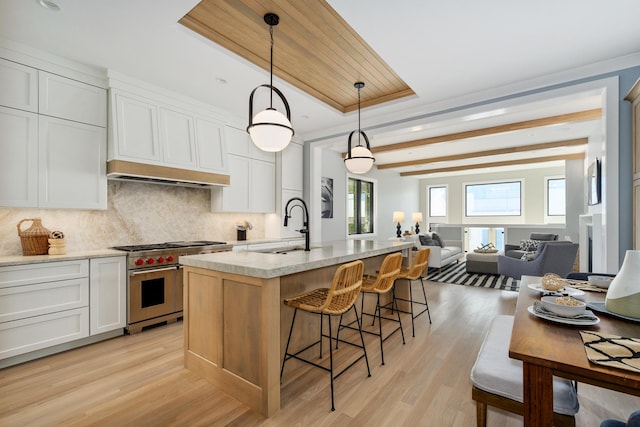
[(34, 300)]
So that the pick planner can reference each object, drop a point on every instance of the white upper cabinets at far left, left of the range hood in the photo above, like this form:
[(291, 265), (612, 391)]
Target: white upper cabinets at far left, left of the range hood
[(52, 139)]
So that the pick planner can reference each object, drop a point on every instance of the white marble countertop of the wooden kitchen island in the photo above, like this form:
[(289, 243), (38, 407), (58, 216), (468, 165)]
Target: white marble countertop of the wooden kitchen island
[(270, 265)]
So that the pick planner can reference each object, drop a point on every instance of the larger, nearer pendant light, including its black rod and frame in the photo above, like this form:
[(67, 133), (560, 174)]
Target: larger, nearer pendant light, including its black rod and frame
[(270, 130)]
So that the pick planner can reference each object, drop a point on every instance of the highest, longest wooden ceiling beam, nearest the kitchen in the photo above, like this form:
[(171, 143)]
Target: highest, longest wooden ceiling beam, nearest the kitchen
[(579, 116)]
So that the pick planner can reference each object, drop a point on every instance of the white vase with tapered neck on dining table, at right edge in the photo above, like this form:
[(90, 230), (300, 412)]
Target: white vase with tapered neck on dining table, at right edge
[(623, 295)]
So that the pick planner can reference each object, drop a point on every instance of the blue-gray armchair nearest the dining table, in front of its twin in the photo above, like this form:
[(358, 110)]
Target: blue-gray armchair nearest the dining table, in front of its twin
[(551, 257)]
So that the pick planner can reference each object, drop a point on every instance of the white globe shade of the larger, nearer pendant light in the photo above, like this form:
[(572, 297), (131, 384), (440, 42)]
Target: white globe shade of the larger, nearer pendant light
[(271, 130)]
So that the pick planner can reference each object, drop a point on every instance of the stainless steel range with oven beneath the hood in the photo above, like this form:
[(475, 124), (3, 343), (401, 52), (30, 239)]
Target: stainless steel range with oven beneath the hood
[(155, 280)]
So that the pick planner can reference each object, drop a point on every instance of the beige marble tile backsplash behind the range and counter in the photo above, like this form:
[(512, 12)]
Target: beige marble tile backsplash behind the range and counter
[(137, 213)]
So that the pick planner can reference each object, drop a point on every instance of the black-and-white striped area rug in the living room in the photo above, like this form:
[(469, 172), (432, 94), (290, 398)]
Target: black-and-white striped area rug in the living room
[(457, 274)]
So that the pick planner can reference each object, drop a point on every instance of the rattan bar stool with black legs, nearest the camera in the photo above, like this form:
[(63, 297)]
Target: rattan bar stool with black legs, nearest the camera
[(334, 301)]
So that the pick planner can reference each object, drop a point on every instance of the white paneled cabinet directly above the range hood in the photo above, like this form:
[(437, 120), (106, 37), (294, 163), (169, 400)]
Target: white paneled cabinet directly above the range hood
[(147, 128)]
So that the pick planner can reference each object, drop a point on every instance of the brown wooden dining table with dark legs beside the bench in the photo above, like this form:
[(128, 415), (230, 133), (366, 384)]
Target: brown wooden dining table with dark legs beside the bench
[(550, 348)]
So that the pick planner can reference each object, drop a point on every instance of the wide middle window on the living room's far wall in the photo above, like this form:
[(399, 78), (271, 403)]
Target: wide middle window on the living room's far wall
[(493, 199)]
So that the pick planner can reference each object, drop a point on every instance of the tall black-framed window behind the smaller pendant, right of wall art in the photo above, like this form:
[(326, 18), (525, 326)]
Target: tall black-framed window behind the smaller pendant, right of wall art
[(360, 207)]
